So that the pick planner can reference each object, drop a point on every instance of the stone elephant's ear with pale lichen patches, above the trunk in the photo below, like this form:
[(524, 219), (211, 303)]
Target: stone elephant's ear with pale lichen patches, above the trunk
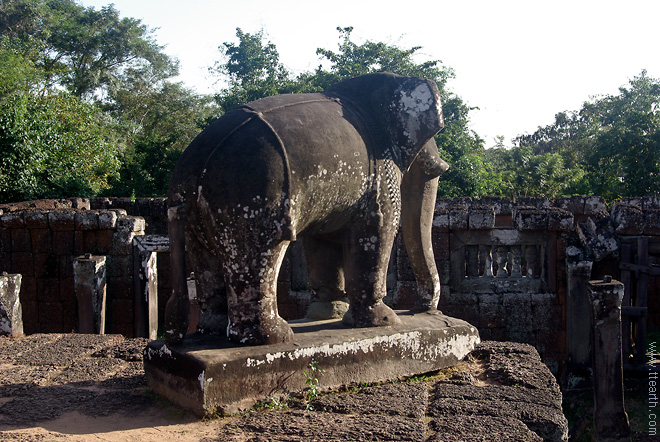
[(416, 116)]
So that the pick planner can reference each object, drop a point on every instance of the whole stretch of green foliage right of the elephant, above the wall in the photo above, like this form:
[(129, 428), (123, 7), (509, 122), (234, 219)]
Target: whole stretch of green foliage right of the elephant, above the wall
[(610, 147)]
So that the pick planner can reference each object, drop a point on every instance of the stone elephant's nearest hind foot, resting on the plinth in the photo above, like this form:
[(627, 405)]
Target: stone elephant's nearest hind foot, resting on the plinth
[(267, 331)]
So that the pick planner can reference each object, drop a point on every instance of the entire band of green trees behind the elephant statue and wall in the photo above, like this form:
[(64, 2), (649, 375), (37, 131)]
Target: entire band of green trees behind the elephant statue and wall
[(88, 107)]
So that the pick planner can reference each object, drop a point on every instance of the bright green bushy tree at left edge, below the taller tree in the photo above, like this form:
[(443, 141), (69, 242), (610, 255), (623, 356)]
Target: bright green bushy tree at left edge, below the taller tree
[(53, 146)]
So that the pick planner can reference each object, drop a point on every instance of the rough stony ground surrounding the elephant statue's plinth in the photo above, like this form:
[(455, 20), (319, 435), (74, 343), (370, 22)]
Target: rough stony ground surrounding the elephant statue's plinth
[(91, 388)]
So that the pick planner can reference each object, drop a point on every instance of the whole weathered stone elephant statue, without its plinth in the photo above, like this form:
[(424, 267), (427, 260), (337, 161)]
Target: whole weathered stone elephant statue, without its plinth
[(337, 168)]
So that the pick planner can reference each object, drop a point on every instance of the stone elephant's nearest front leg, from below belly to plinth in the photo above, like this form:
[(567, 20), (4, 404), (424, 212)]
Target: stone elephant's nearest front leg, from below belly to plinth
[(366, 256)]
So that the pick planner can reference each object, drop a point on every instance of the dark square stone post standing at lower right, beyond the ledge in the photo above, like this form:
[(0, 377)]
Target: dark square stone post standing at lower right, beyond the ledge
[(610, 418)]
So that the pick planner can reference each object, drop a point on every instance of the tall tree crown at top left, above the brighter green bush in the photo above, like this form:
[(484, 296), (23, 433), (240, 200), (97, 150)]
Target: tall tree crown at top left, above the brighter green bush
[(84, 50)]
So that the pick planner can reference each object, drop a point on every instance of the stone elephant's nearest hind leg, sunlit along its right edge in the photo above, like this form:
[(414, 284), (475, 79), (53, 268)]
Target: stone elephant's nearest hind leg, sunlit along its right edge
[(252, 296)]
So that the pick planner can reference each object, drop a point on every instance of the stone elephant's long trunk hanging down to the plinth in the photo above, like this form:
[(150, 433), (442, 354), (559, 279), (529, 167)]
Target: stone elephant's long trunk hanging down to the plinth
[(417, 220)]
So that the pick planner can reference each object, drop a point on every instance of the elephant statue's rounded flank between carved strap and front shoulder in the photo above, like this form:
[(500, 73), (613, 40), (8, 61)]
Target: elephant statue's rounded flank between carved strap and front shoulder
[(329, 160)]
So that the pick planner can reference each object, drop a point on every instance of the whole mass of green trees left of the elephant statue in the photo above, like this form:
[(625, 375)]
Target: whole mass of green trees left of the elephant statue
[(85, 105)]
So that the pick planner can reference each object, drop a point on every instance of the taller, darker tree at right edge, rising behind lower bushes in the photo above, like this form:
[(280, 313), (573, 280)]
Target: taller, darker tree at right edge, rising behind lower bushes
[(611, 145)]
